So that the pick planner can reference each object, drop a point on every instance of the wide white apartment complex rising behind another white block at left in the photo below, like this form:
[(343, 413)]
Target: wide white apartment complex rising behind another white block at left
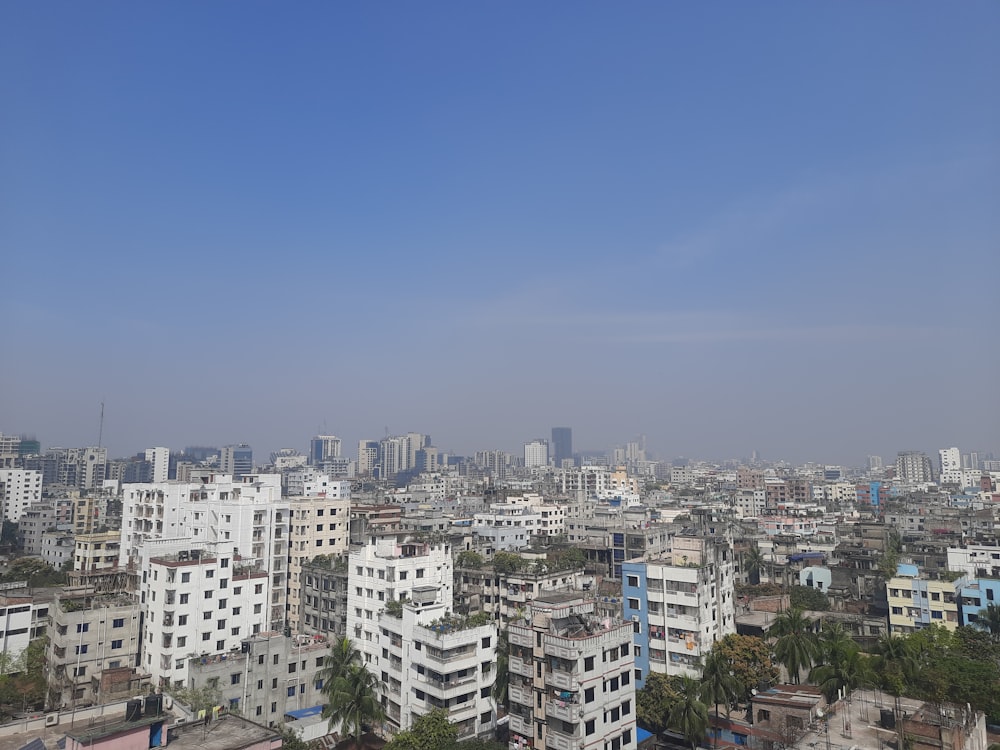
[(248, 513)]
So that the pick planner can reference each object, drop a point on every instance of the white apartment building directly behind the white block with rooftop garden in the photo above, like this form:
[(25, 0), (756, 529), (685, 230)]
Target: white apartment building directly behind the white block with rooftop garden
[(387, 569)]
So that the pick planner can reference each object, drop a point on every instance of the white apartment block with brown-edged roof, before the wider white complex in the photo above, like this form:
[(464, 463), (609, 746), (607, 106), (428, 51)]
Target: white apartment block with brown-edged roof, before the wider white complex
[(196, 603)]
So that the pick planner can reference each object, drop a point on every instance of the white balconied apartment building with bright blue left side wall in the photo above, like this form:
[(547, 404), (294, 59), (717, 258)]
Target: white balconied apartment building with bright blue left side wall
[(680, 605)]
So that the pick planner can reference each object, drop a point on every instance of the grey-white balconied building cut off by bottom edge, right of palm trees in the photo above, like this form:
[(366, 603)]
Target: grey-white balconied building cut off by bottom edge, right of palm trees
[(572, 681)]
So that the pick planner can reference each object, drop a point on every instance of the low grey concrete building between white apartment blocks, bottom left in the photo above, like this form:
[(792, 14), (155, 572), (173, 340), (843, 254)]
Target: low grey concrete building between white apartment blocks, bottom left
[(269, 676)]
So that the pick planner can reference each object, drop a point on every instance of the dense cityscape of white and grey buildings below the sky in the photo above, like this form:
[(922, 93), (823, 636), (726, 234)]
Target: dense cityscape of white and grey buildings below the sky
[(599, 590)]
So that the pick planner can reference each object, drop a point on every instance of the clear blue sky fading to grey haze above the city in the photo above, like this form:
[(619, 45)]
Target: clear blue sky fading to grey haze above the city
[(726, 226)]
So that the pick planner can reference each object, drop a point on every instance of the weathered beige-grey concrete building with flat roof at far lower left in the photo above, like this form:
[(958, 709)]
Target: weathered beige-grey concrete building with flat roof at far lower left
[(93, 648)]
